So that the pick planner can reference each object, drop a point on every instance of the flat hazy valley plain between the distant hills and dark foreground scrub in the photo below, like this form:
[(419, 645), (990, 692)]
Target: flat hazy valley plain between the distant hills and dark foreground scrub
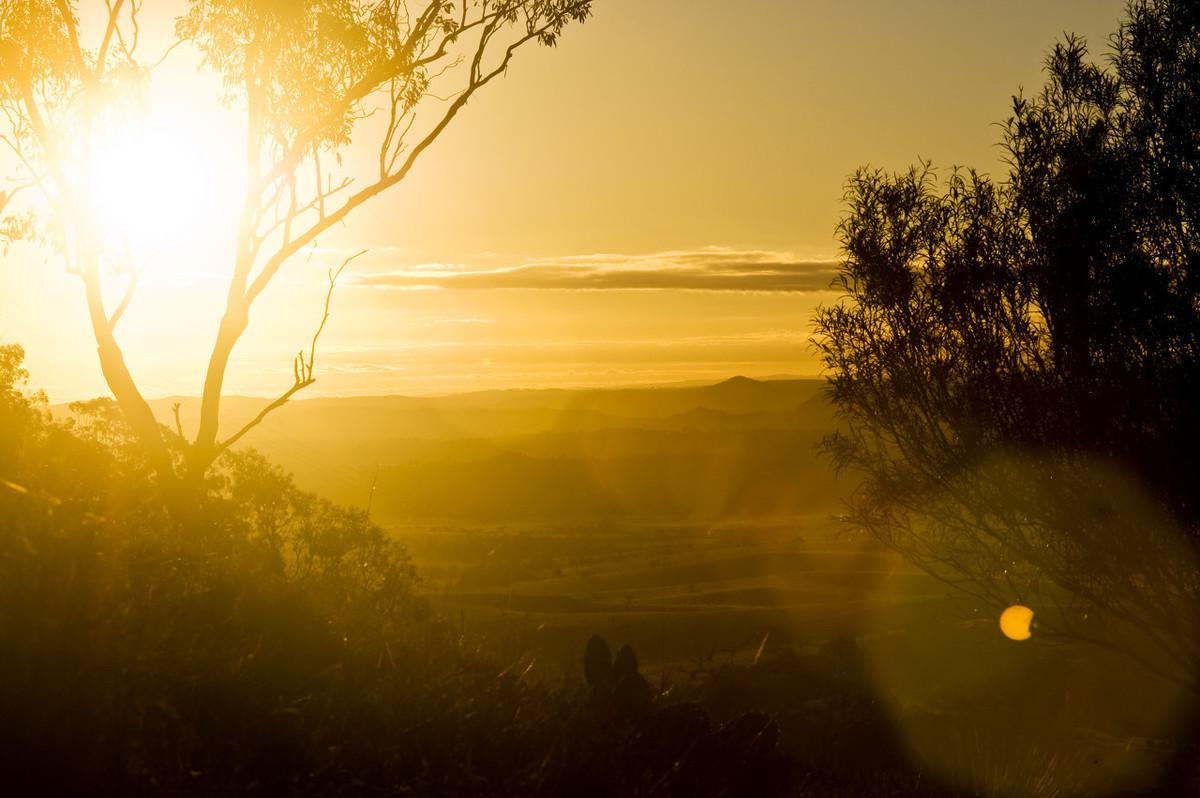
[(677, 592)]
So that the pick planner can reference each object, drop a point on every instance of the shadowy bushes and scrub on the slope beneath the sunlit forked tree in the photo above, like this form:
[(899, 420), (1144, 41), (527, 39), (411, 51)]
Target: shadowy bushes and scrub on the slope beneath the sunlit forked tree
[(266, 640)]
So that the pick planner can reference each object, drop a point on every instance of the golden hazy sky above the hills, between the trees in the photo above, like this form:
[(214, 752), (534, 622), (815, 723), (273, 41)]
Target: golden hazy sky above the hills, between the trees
[(653, 201)]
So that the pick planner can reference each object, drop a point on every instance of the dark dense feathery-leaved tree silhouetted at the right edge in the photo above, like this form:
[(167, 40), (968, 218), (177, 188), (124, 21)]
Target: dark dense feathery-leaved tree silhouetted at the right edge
[(1018, 363)]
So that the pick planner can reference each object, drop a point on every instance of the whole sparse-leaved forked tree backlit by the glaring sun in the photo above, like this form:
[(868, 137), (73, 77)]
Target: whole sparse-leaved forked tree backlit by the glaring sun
[(305, 73)]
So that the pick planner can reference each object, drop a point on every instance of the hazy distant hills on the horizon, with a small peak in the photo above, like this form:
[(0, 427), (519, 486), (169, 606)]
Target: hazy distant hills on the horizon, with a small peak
[(742, 448)]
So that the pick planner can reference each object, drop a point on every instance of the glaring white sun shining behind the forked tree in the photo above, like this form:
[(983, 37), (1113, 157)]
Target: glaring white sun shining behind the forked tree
[(163, 184)]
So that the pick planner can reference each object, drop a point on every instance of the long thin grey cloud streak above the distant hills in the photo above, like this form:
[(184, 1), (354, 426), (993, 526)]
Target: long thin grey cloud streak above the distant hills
[(707, 269)]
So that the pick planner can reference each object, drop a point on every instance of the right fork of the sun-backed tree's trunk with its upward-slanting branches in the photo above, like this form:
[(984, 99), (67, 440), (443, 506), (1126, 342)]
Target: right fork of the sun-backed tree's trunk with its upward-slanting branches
[(419, 49)]
